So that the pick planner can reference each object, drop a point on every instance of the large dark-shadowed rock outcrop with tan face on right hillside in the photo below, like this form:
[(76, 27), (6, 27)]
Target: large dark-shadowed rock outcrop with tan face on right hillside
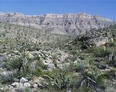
[(93, 38)]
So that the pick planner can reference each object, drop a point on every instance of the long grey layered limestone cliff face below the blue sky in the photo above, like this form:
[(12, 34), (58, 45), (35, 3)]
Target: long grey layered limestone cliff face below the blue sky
[(72, 24)]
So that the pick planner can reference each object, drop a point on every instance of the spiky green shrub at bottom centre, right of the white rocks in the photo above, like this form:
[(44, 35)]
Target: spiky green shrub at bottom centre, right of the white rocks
[(59, 78)]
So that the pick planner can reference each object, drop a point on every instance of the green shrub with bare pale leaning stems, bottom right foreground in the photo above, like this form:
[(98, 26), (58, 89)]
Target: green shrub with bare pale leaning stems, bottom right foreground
[(91, 80)]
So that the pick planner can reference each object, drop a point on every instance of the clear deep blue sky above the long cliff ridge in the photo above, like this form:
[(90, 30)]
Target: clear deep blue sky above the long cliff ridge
[(104, 8)]
